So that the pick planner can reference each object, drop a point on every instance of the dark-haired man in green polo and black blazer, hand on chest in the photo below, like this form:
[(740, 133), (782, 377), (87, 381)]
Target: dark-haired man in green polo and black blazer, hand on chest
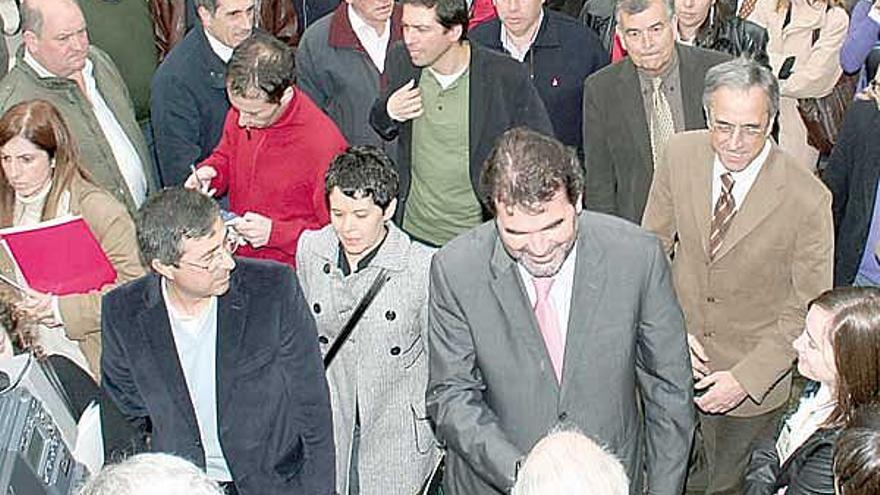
[(448, 100)]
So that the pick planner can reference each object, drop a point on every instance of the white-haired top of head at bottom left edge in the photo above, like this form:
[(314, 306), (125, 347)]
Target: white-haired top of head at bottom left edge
[(146, 474)]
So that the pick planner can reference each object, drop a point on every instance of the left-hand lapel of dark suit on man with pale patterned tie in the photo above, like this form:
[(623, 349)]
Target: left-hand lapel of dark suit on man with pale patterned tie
[(629, 101)]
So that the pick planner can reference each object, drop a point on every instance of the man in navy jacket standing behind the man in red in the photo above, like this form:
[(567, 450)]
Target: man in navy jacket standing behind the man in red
[(189, 102)]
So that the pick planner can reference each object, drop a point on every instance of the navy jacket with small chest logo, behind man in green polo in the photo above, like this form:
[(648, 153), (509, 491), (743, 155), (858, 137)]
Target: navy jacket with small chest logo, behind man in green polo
[(564, 53)]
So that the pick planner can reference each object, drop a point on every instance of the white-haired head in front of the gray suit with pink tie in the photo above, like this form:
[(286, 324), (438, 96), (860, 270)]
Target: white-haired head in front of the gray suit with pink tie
[(566, 462)]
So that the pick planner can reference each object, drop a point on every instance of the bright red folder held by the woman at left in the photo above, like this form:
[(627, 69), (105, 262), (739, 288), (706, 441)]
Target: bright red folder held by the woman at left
[(59, 256)]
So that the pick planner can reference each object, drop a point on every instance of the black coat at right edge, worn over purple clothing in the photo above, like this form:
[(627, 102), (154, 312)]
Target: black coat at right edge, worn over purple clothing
[(852, 174)]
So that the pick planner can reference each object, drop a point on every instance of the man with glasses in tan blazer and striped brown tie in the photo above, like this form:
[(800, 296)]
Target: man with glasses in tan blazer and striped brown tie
[(750, 234)]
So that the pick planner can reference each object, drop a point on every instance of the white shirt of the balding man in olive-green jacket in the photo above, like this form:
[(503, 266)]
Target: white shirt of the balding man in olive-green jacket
[(123, 150)]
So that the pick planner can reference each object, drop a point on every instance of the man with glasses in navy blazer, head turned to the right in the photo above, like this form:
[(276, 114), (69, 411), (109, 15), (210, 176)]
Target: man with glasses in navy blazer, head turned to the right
[(220, 367)]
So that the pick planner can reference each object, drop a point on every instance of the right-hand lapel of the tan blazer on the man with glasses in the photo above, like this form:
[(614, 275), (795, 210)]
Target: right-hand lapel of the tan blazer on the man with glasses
[(763, 198)]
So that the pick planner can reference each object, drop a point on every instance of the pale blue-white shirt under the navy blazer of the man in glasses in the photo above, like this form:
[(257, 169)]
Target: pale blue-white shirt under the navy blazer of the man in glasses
[(196, 341)]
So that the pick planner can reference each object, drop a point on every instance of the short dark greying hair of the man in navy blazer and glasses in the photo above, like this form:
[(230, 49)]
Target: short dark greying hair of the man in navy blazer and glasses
[(170, 216)]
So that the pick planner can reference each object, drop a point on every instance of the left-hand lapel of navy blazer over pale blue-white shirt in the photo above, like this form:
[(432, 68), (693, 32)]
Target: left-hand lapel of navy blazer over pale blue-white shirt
[(155, 327)]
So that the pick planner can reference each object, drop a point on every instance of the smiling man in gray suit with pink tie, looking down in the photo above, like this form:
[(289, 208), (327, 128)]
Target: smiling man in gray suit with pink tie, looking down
[(548, 315)]
